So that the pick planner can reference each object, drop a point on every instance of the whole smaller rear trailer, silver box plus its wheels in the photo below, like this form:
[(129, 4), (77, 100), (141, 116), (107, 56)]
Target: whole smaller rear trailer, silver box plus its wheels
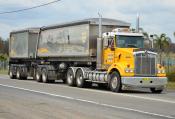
[(22, 52)]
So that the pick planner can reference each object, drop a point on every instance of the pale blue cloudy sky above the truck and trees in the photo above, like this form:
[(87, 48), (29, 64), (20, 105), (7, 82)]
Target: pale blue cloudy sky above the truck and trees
[(156, 16)]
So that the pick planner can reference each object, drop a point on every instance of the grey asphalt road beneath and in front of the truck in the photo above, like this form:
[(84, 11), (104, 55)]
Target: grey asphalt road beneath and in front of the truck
[(28, 99)]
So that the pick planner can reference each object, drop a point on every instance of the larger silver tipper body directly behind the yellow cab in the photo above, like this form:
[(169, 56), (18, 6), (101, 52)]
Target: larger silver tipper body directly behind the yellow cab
[(75, 40)]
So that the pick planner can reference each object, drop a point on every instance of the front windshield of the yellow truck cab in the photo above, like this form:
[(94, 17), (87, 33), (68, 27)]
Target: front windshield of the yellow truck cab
[(130, 41)]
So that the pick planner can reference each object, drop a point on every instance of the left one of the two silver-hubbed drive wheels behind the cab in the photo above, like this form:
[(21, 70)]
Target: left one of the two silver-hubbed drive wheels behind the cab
[(70, 77)]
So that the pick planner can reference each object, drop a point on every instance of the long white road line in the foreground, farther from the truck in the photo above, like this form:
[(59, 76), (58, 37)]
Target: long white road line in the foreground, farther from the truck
[(92, 102)]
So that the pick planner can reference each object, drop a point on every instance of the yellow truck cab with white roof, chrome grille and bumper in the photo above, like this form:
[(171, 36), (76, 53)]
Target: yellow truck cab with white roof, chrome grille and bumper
[(129, 64)]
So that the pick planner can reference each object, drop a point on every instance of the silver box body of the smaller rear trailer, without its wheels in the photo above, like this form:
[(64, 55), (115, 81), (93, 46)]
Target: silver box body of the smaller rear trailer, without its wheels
[(22, 43)]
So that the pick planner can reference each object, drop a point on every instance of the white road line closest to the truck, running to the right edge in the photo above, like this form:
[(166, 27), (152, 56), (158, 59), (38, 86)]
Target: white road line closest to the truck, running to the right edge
[(126, 95)]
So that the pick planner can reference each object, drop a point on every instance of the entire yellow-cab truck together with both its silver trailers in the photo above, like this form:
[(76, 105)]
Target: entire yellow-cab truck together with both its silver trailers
[(75, 53)]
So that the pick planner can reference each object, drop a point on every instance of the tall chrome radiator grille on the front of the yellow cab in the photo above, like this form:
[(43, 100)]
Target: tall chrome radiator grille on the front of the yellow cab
[(145, 64)]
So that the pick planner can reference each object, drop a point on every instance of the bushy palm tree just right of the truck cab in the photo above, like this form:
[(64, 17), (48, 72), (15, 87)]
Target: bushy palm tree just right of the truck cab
[(162, 44)]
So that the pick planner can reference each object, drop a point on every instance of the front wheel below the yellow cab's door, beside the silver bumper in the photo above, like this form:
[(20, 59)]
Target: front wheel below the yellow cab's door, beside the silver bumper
[(115, 82)]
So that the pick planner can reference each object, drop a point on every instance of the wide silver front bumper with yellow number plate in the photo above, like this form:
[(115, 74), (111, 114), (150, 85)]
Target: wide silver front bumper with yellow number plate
[(145, 82)]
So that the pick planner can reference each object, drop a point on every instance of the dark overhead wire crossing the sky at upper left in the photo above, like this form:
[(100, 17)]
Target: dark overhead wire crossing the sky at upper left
[(25, 9)]
